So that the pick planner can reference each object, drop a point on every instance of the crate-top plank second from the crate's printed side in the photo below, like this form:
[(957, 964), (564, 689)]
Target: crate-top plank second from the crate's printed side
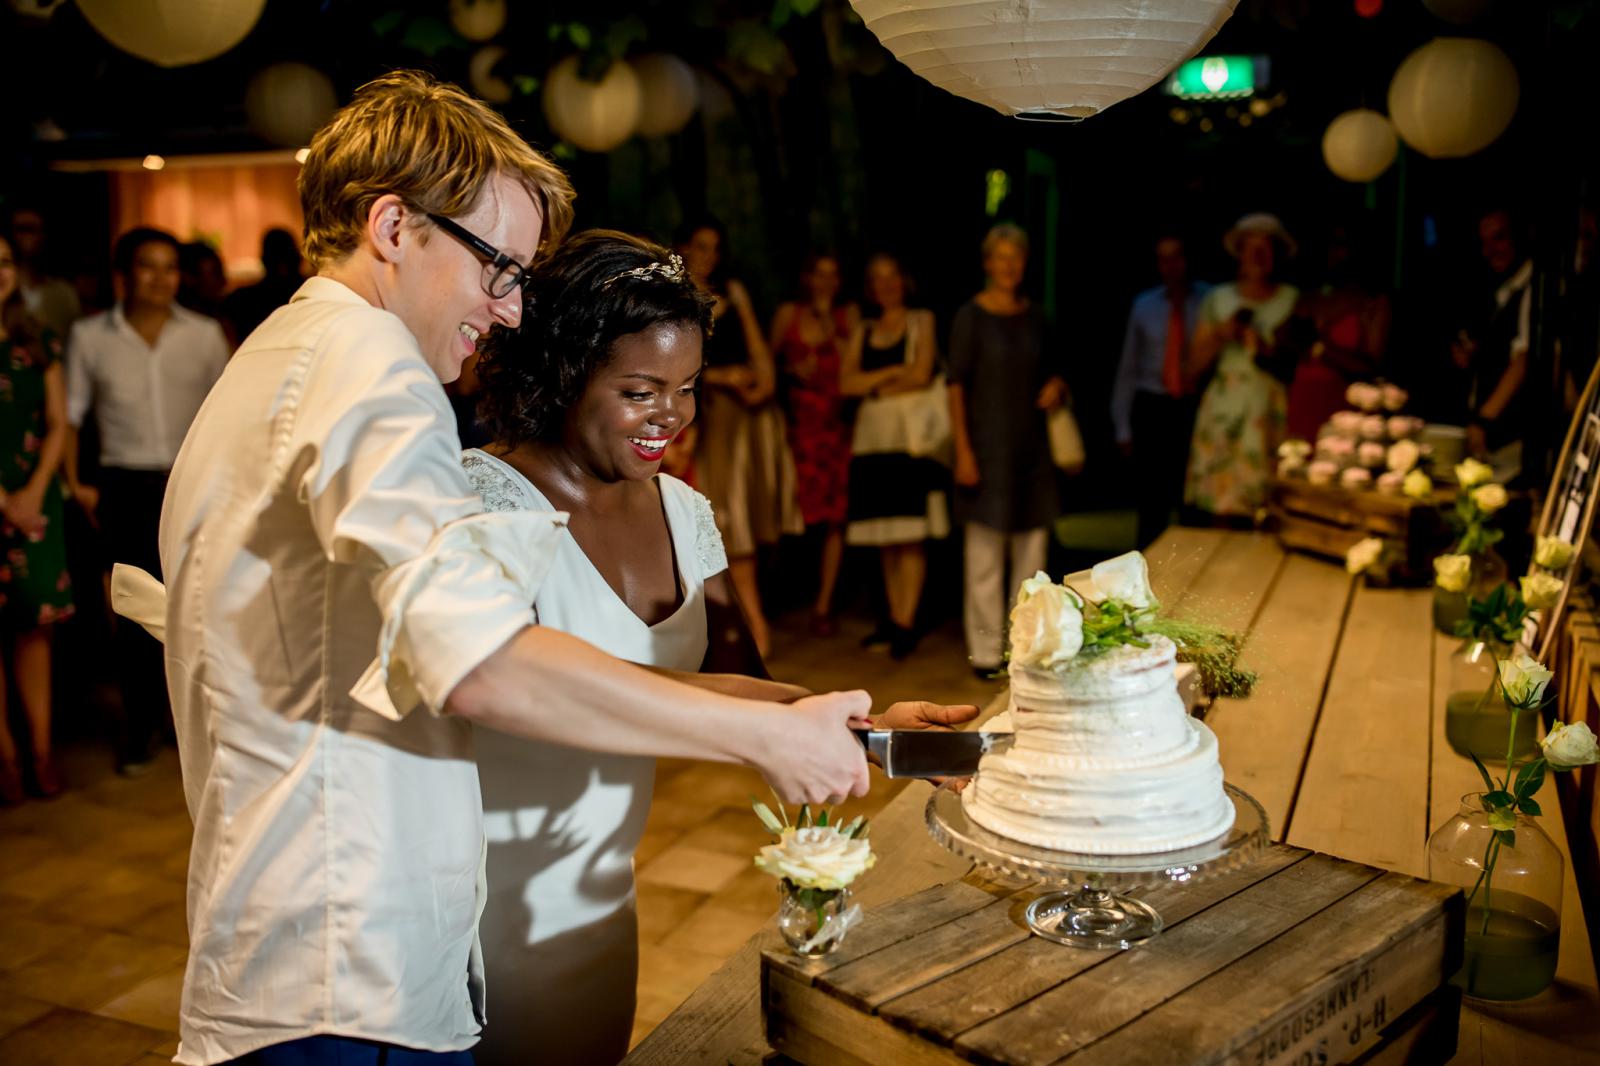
[(1132, 984)]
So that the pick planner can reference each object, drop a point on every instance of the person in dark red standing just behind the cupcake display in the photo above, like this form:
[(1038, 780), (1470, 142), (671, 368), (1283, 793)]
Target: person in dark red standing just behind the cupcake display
[(1337, 337)]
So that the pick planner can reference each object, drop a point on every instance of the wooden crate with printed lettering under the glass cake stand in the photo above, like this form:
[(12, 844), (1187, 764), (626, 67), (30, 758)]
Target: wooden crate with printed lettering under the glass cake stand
[(1300, 958)]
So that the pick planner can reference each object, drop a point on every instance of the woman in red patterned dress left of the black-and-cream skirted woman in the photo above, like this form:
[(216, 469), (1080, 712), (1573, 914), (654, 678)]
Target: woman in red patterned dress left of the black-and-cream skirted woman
[(807, 339)]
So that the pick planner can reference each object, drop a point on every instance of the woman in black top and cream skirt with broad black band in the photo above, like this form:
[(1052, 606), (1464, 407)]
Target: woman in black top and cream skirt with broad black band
[(903, 428)]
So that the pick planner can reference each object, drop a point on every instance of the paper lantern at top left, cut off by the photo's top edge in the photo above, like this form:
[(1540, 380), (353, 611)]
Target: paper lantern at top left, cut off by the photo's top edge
[(174, 33)]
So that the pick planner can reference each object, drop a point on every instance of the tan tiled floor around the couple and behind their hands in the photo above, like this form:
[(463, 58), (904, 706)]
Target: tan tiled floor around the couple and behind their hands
[(92, 886)]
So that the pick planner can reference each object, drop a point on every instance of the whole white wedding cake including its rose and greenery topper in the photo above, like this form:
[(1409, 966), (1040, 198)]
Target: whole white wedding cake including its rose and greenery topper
[(1106, 758)]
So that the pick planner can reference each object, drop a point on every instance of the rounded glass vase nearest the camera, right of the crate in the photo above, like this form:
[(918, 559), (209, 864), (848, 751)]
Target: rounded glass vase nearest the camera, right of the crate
[(1514, 915)]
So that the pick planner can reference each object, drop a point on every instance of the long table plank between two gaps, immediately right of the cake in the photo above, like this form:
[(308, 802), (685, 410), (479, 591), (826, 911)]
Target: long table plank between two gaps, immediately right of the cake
[(1265, 739)]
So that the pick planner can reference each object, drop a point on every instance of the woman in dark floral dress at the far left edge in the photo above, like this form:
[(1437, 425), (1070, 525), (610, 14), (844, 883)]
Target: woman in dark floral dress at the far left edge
[(34, 587)]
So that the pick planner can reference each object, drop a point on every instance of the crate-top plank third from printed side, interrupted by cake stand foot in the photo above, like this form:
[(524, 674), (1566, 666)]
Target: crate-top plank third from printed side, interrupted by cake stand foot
[(948, 1008)]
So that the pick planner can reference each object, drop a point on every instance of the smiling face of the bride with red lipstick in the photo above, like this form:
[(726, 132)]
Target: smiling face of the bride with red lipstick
[(638, 403)]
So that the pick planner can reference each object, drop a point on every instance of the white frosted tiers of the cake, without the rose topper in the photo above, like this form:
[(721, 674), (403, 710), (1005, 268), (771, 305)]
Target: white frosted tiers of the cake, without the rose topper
[(1106, 759)]
